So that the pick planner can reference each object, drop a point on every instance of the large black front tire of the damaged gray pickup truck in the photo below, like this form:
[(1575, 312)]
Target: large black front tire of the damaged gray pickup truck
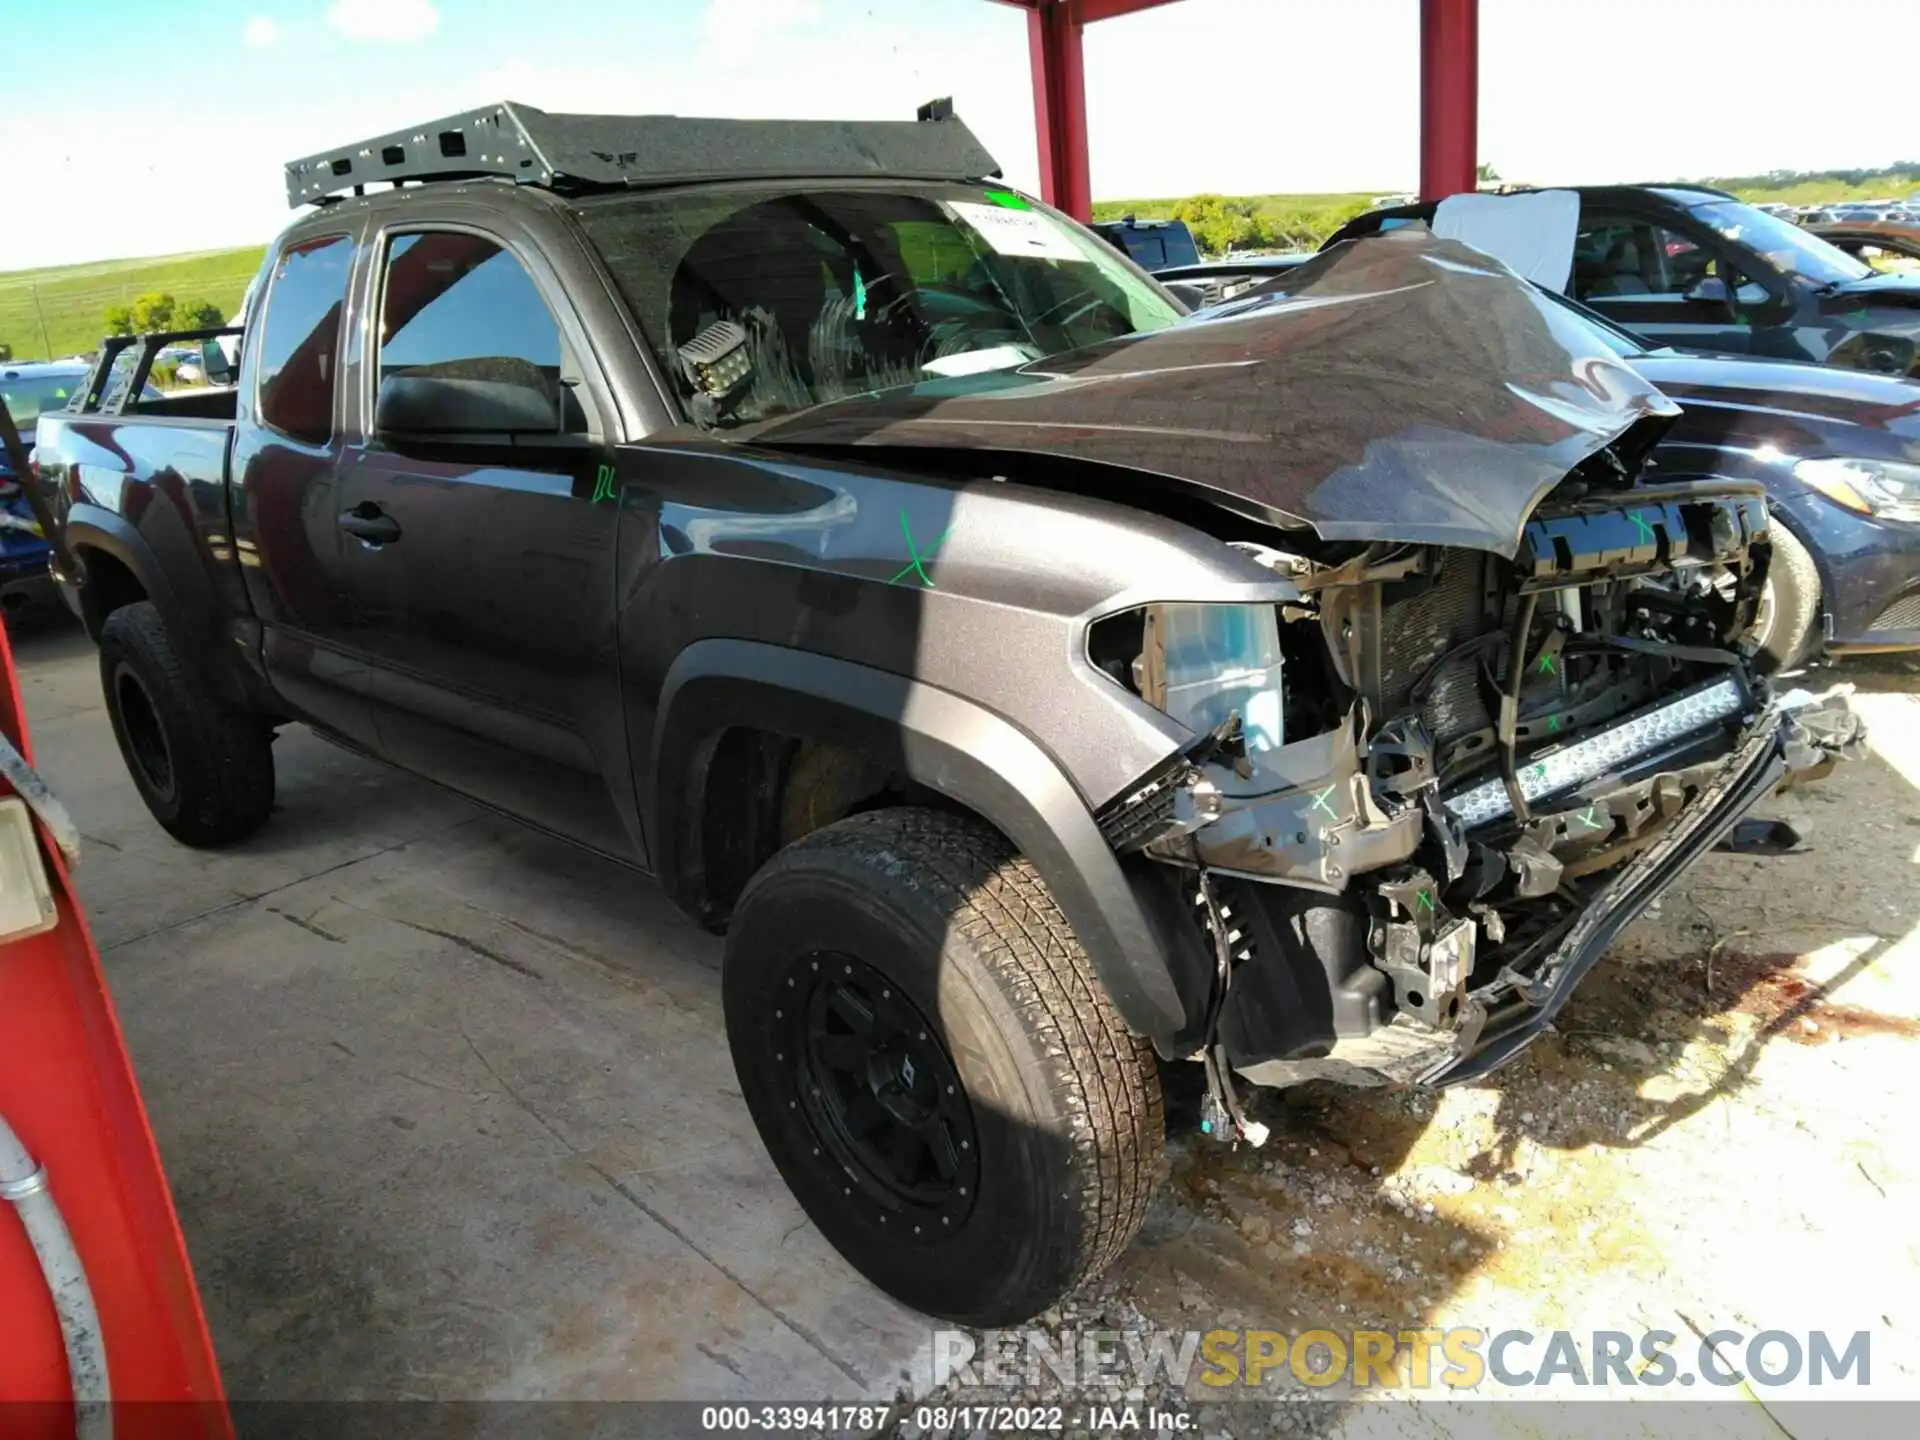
[(1065, 1103)]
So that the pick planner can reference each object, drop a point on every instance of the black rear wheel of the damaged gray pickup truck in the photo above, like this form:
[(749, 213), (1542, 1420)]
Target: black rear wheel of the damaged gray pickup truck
[(214, 775)]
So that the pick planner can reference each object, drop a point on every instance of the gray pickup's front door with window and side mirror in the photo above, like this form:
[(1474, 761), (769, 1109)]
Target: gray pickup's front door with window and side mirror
[(479, 531)]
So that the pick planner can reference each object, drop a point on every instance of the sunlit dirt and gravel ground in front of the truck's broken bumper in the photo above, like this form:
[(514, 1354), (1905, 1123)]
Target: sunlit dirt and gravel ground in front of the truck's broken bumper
[(1719, 1136)]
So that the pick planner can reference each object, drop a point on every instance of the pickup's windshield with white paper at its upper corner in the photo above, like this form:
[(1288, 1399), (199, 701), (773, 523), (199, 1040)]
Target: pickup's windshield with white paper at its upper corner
[(765, 300)]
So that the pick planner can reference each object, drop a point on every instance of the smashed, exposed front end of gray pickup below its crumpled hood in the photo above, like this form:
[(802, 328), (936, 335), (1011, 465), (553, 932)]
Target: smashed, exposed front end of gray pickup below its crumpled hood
[(1418, 780)]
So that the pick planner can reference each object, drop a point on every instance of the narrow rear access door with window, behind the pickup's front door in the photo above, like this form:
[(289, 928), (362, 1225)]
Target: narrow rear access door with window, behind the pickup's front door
[(285, 487)]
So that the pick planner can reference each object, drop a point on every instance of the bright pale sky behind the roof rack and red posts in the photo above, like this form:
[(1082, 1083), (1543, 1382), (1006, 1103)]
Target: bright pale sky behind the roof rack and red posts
[(162, 128)]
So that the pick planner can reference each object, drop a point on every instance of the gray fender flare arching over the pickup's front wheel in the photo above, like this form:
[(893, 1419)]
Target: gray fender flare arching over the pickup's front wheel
[(948, 744)]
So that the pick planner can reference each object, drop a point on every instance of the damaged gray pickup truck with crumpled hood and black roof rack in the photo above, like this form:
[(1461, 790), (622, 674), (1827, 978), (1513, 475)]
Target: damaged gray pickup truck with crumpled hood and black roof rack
[(1030, 679)]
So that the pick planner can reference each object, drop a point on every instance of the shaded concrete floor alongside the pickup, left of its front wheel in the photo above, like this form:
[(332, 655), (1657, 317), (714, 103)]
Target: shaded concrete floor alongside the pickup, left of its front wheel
[(446, 1105)]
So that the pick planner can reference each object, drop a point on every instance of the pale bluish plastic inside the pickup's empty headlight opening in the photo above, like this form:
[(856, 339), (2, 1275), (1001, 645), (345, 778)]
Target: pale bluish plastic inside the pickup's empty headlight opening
[(1203, 663)]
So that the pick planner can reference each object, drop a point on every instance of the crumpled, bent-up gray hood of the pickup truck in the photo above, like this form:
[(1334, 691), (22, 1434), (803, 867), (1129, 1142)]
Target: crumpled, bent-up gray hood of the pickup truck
[(1406, 389)]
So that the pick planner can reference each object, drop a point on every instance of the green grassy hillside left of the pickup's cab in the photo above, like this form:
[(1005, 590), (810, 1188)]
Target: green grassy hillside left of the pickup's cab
[(62, 310)]
